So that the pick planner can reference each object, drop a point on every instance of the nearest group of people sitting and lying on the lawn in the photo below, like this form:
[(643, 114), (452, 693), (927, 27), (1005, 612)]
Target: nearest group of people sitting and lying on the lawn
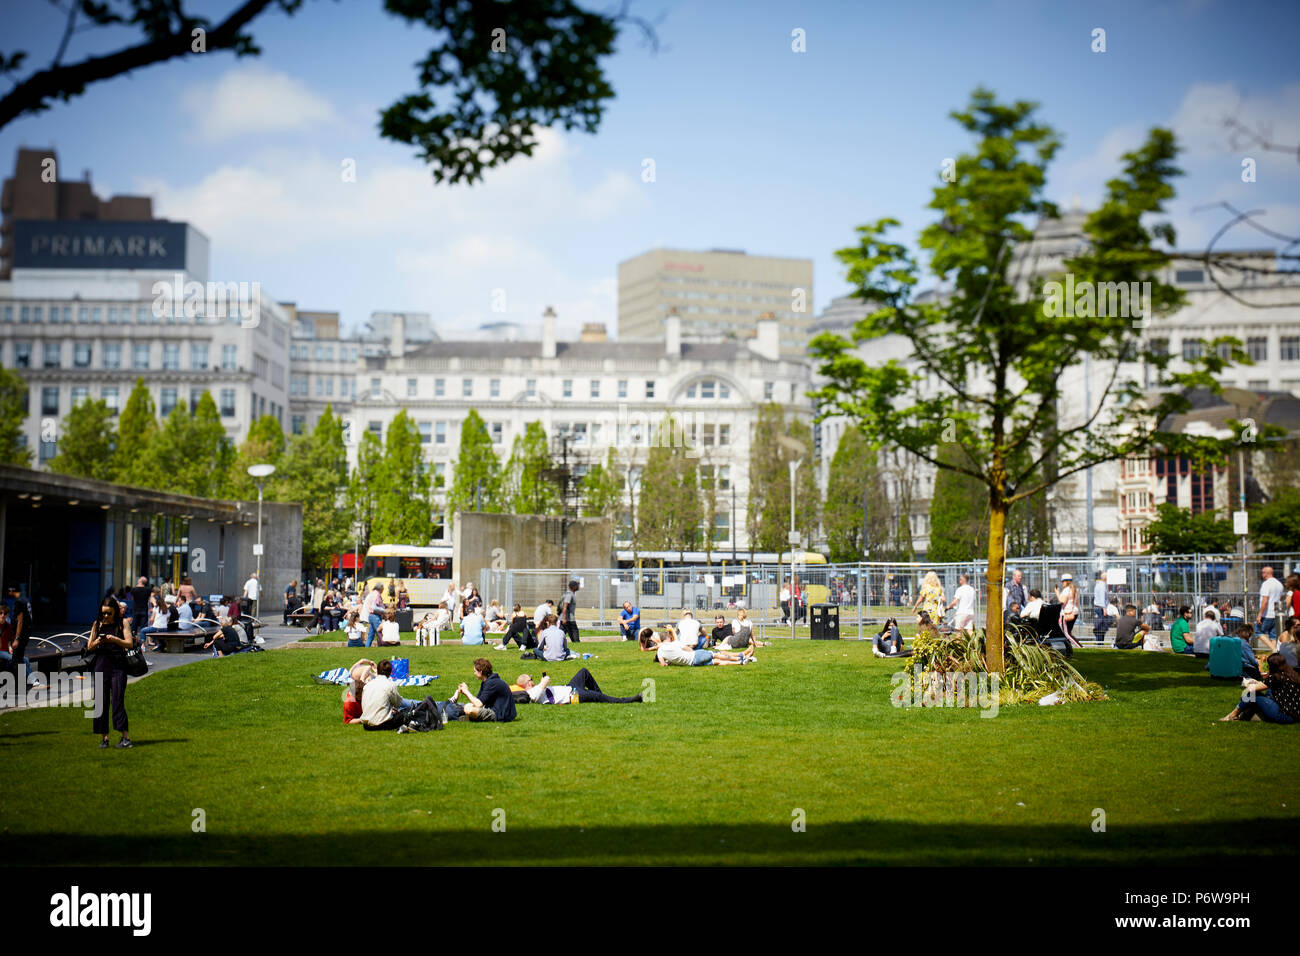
[(374, 699)]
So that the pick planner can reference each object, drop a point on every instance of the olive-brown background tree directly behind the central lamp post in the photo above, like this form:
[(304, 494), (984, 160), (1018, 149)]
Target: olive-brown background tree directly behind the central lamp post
[(769, 508)]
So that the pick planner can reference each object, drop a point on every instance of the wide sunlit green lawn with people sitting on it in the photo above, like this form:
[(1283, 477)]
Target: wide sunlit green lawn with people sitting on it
[(716, 771)]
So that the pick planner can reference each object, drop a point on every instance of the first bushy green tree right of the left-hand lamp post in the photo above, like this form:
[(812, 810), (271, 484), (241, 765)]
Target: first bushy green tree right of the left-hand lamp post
[(315, 475)]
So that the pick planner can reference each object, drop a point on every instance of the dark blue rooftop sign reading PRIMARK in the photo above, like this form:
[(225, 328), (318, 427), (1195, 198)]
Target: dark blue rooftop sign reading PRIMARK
[(106, 245)]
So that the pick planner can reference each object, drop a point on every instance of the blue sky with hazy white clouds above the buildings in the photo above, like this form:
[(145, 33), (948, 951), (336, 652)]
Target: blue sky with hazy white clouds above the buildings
[(756, 146)]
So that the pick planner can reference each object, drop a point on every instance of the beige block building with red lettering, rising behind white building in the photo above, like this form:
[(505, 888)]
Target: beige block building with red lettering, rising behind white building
[(720, 296)]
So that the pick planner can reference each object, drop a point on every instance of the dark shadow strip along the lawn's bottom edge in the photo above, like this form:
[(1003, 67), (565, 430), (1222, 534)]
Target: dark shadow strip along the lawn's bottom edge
[(860, 842)]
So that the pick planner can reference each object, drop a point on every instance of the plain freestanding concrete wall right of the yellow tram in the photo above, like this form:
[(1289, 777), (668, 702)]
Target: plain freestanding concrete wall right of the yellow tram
[(487, 540)]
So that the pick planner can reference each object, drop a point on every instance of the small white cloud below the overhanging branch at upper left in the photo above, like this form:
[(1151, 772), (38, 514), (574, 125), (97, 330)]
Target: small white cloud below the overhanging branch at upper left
[(253, 100)]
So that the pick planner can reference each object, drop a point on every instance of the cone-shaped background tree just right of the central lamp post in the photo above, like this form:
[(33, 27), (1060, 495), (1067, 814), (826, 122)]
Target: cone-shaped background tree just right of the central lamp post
[(855, 499)]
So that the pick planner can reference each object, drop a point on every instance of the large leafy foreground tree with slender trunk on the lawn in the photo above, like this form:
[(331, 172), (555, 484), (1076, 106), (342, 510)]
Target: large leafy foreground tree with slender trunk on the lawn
[(996, 353)]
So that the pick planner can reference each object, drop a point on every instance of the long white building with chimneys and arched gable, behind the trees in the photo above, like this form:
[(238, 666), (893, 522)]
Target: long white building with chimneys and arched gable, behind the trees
[(597, 395)]
